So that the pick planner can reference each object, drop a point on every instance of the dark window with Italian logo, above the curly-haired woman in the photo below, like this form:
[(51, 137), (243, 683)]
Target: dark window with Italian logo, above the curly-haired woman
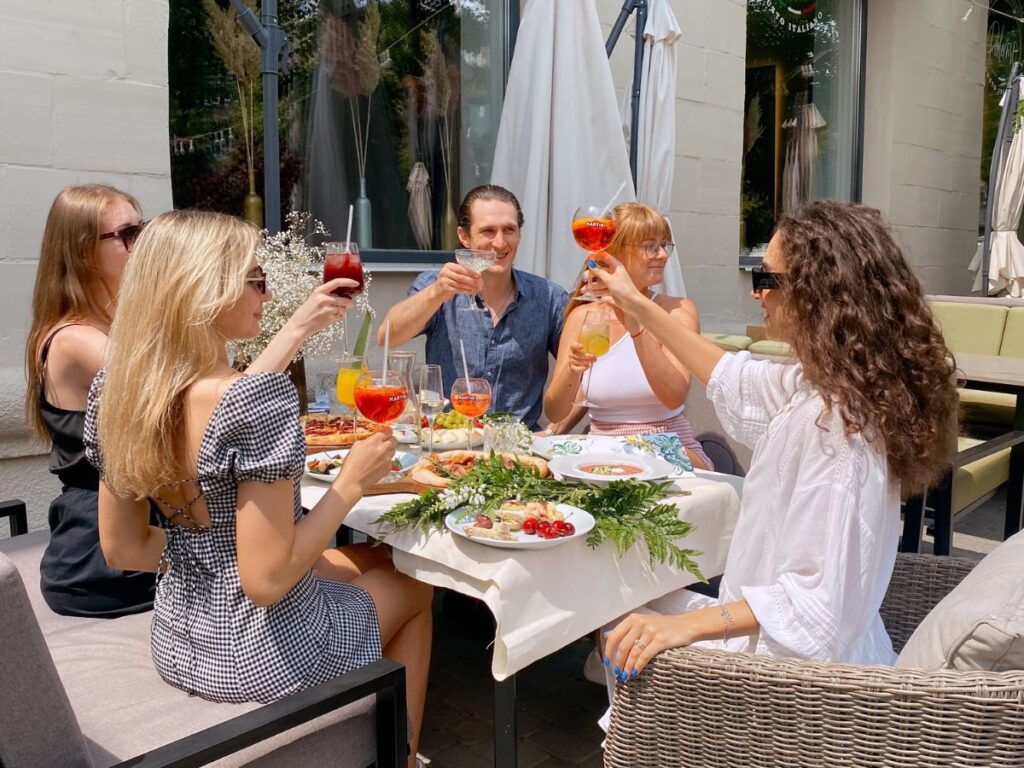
[(800, 109)]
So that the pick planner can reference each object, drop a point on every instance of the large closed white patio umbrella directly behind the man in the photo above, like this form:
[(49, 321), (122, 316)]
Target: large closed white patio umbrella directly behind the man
[(560, 144)]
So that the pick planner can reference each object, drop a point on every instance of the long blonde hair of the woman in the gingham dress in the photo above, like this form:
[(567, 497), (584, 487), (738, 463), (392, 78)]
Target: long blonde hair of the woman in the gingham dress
[(187, 269)]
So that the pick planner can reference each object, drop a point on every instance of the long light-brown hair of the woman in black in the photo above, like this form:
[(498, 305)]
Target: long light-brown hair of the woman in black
[(68, 288)]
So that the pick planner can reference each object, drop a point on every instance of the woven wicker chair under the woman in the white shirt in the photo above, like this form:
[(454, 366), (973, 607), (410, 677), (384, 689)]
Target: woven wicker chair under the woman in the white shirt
[(701, 708)]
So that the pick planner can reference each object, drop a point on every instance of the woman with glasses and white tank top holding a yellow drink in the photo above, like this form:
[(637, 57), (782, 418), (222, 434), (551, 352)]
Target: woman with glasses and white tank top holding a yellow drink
[(636, 388)]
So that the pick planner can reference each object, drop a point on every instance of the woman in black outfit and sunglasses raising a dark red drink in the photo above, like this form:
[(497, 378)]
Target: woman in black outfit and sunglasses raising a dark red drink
[(88, 241)]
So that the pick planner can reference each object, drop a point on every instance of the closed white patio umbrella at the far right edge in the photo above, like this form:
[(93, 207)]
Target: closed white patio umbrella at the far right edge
[(1006, 261)]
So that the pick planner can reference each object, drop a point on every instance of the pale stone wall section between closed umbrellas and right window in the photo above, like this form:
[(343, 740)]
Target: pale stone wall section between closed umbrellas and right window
[(705, 215)]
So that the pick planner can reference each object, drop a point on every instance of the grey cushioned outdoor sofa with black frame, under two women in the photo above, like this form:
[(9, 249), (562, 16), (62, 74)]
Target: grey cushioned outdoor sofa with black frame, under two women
[(84, 694)]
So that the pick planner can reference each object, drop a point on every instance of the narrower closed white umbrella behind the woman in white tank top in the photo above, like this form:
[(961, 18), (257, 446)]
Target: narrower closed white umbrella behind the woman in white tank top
[(657, 127)]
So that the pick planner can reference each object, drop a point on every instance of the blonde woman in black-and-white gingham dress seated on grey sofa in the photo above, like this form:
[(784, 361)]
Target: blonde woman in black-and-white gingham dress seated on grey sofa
[(251, 605)]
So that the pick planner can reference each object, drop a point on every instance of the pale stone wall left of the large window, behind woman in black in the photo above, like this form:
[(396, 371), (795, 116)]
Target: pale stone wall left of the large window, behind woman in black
[(83, 98)]
